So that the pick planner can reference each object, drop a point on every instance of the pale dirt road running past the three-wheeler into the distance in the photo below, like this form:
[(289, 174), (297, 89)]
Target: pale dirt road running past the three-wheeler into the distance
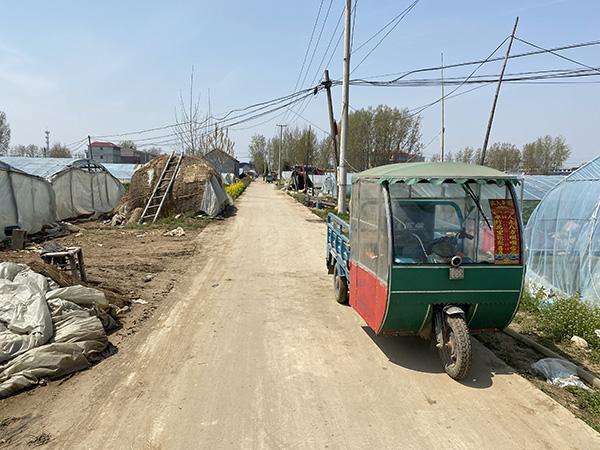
[(253, 352)]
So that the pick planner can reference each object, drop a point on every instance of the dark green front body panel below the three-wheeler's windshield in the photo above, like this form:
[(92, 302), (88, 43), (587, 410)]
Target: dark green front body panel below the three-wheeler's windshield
[(491, 292)]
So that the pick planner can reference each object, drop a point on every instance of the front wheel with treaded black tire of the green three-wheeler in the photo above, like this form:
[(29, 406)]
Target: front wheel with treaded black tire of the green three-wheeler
[(457, 363)]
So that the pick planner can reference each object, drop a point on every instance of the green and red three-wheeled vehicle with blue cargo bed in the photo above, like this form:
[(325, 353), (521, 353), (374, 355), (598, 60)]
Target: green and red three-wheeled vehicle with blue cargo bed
[(432, 249)]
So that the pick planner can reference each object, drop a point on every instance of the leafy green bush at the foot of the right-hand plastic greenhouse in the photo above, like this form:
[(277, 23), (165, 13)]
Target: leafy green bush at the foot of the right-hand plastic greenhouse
[(563, 318)]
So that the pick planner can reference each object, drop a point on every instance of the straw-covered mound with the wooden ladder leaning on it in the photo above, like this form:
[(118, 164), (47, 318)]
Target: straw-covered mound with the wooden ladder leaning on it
[(197, 188)]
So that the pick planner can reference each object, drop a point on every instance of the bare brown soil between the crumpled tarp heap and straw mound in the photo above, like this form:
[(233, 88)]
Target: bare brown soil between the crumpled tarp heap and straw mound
[(140, 266)]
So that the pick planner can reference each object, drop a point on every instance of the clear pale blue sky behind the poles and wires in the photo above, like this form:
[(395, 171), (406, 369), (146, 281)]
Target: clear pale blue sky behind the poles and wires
[(101, 68)]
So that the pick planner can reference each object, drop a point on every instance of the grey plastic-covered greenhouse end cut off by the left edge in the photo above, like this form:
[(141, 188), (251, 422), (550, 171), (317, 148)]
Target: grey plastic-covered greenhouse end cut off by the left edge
[(25, 200)]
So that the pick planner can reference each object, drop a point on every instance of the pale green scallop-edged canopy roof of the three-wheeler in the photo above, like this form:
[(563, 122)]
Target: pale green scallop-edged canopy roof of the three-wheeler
[(427, 171)]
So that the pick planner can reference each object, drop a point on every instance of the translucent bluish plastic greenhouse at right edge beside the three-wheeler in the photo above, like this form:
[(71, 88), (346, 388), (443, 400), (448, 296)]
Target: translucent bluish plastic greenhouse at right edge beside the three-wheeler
[(563, 236)]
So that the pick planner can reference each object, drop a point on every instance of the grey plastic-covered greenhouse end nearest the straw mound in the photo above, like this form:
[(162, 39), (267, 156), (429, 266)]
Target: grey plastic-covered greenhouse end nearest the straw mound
[(84, 190)]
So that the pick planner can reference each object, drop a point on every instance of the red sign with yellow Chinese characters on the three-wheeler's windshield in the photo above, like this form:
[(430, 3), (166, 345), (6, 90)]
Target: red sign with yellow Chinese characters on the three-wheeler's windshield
[(507, 245)]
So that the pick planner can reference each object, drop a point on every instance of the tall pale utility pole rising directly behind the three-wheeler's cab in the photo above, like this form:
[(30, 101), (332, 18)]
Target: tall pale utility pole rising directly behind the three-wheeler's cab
[(341, 176)]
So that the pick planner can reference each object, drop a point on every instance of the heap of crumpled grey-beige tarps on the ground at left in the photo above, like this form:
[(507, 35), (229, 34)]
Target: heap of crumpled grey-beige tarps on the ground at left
[(46, 332)]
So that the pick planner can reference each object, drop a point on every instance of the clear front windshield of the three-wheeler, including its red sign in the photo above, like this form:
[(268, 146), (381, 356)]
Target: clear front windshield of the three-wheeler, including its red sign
[(433, 223)]
